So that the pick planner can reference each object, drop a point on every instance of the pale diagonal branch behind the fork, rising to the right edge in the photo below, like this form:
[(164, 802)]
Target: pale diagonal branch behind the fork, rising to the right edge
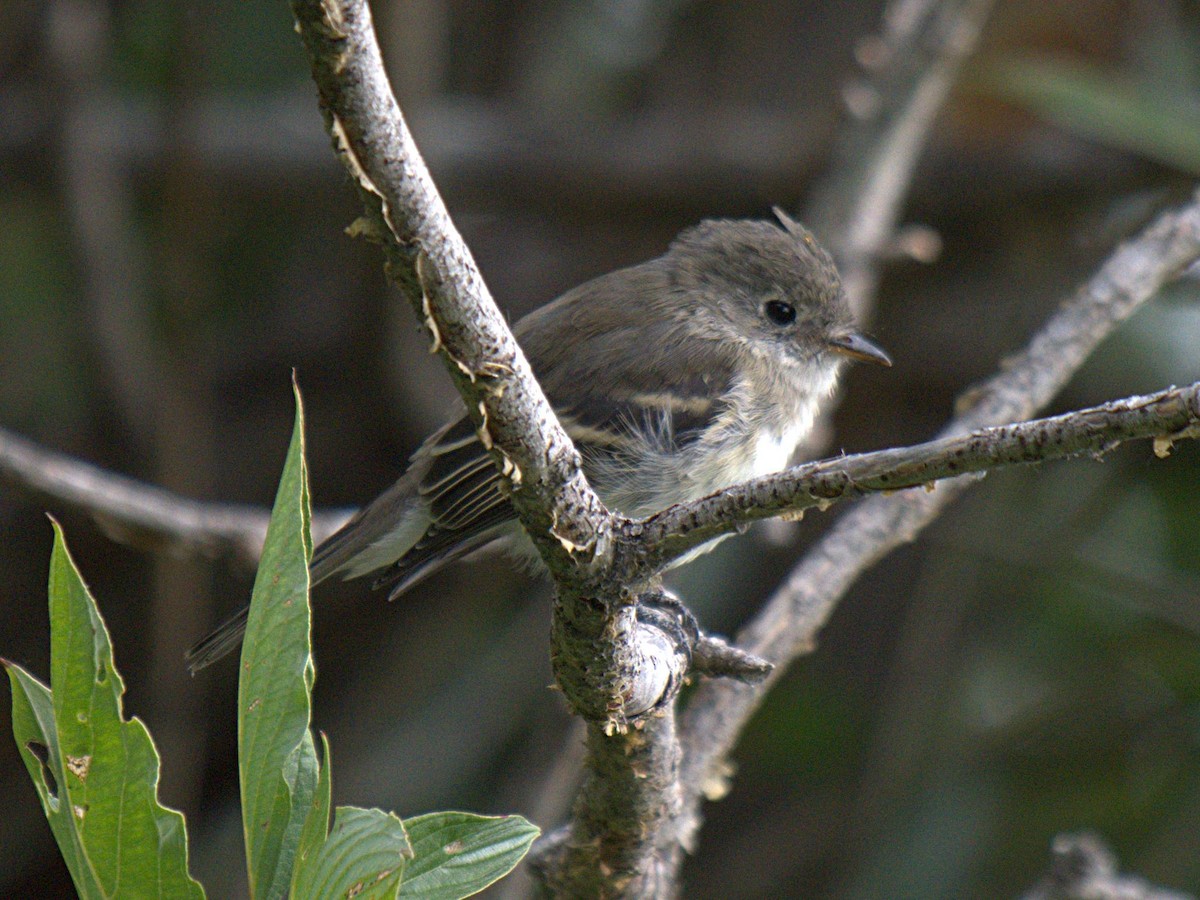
[(788, 626)]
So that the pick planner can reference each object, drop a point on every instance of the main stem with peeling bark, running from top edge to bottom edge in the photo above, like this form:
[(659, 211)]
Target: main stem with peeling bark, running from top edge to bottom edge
[(626, 811)]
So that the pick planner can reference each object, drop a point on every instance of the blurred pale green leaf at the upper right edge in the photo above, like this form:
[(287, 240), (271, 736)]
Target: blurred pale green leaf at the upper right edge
[(1145, 118)]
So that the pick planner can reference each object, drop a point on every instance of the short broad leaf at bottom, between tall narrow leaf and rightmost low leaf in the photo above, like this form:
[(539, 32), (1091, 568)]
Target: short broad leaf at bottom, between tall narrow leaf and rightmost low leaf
[(364, 857)]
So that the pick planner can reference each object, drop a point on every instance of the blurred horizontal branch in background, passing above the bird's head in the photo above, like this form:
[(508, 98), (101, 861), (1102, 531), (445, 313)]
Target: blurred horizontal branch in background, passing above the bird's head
[(695, 160)]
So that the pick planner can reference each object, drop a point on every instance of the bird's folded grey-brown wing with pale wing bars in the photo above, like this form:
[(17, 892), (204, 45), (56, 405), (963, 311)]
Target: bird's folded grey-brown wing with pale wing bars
[(613, 365)]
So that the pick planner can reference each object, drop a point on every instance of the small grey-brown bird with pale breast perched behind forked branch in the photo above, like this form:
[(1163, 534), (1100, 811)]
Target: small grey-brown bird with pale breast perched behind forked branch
[(675, 379)]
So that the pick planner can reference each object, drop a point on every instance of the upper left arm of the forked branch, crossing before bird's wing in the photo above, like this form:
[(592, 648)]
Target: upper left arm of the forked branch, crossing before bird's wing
[(430, 262)]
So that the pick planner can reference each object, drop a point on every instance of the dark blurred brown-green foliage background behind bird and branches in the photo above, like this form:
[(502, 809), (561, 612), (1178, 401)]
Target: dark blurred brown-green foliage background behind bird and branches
[(171, 248)]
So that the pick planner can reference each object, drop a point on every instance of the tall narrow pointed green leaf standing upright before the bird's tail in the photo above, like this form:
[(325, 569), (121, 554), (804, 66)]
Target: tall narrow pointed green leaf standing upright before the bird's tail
[(277, 754)]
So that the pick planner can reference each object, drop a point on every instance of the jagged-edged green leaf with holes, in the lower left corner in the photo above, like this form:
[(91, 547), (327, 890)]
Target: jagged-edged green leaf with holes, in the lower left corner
[(95, 773)]
